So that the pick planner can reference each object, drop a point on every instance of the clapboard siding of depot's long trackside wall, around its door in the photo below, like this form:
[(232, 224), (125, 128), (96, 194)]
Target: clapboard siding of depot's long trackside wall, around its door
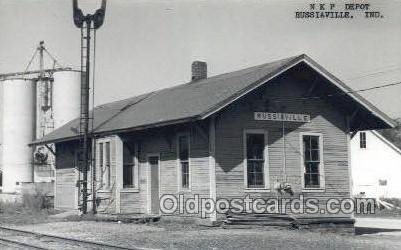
[(153, 142)]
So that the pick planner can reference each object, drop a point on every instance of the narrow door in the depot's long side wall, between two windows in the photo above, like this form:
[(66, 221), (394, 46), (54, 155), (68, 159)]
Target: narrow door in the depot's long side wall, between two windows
[(153, 162)]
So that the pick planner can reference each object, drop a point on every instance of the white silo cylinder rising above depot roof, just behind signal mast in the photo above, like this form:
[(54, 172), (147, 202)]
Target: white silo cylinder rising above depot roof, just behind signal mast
[(66, 96)]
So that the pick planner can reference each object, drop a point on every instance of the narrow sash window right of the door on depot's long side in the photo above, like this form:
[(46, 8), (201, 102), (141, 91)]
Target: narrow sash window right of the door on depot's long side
[(183, 157)]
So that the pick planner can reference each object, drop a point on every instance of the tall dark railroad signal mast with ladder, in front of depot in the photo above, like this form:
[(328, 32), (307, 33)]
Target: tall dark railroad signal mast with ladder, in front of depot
[(85, 24)]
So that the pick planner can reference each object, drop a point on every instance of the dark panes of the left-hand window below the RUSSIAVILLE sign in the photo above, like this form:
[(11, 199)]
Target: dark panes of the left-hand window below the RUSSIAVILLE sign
[(255, 160)]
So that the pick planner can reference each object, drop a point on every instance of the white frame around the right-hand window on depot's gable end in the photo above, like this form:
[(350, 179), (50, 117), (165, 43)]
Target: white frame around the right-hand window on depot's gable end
[(322, 181)]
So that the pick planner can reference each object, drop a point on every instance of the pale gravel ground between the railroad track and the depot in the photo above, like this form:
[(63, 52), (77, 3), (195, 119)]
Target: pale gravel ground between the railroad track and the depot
[(169, 235)]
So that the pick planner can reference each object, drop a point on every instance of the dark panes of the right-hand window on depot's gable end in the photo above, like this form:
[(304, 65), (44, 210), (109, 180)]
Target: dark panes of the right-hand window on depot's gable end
[(312, 161)]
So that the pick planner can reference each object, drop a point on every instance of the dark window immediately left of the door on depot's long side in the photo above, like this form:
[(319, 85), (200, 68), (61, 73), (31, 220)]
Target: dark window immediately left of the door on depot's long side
[(128, 165)]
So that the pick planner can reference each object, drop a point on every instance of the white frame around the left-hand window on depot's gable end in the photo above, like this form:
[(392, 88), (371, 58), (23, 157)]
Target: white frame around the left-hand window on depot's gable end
[(266, 188)]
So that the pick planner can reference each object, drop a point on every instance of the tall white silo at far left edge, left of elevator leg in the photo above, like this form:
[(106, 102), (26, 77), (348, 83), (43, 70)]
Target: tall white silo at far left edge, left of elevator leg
[(18, 129)]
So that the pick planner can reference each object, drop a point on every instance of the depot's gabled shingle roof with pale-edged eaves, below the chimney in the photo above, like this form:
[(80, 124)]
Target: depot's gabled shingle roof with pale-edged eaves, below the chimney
[(194, 101)]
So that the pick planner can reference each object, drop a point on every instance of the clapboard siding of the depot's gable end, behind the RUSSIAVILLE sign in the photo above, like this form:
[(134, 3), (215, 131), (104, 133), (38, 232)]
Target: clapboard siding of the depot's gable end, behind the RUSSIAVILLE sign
[(283, 96)]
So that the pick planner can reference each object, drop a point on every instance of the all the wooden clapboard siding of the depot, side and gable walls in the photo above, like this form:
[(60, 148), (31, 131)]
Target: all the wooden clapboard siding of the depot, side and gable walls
[(230, 124)]
